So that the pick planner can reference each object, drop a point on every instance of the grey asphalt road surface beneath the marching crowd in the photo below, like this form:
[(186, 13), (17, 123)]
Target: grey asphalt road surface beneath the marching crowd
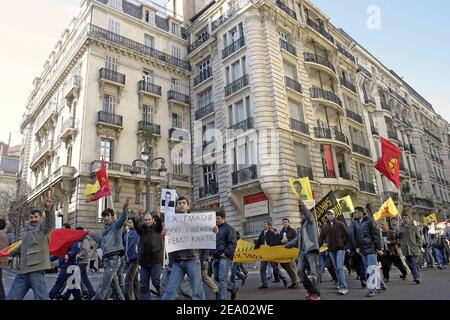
[(435, 285)]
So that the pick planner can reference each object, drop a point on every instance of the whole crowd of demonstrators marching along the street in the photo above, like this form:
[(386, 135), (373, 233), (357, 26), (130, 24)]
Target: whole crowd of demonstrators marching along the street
[(135, 247)]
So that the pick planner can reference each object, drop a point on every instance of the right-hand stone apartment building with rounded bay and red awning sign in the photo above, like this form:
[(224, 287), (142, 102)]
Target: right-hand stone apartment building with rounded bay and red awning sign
[(282, 67)]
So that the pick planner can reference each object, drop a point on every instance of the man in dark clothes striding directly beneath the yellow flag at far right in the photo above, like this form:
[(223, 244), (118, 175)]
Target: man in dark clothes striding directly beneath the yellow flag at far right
[(391, 253)]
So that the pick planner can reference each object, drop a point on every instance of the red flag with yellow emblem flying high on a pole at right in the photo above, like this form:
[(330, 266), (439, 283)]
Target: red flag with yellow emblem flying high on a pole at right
[(389, 164)]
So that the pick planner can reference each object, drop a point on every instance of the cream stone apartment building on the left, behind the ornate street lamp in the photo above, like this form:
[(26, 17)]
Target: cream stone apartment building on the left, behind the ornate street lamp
[(115, 81)]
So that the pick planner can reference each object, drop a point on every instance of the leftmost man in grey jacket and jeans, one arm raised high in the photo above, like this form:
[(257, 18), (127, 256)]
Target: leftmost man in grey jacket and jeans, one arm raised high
[(34, 254)]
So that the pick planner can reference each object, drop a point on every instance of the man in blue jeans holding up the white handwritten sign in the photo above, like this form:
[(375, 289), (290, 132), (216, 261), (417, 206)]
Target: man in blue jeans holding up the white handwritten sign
[(185, 262)]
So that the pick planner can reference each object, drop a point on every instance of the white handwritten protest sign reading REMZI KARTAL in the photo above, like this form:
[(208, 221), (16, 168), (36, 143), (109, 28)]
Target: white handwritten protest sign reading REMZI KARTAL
[(190, 231)]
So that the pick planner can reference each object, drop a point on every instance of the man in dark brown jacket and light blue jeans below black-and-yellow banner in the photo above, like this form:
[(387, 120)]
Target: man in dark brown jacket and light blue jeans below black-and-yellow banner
[(335, 235)]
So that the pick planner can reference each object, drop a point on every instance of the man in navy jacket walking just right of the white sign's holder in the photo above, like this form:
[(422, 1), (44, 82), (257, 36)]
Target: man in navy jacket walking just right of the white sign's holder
[(223, 255)]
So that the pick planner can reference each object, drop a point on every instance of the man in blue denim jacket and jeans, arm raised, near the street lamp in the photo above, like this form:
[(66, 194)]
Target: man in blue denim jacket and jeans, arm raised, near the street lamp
[(111, 244)]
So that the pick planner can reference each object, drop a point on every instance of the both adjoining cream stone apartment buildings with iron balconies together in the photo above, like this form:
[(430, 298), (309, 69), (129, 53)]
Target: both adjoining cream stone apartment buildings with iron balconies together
[(251, 92)]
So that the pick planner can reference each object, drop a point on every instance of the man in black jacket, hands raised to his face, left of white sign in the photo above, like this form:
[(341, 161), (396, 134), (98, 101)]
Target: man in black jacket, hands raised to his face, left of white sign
[(151, 251)]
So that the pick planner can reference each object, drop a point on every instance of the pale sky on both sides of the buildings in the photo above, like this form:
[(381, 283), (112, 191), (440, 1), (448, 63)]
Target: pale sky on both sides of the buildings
[(412, 38)]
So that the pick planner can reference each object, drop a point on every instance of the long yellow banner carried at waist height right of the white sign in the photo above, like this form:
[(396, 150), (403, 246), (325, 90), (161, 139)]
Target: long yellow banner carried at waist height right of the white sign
[(246, 252)]
